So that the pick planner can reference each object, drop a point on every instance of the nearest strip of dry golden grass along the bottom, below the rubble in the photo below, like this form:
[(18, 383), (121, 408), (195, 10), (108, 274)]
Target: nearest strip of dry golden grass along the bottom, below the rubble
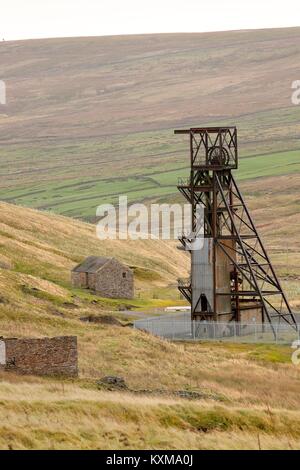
[(64, 416)]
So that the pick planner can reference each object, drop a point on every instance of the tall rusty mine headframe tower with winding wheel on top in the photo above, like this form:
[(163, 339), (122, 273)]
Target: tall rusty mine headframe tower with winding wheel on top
[(232, 277)]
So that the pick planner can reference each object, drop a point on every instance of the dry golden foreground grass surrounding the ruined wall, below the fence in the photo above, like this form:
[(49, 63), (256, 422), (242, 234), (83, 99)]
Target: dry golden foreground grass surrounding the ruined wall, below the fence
[(252, 395)]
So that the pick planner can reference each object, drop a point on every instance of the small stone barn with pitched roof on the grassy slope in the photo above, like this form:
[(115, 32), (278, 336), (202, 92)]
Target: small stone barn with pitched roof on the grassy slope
[(105, 276)]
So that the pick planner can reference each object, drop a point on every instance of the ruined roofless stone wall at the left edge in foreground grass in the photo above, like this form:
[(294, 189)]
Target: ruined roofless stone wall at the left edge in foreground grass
[(42, 356)]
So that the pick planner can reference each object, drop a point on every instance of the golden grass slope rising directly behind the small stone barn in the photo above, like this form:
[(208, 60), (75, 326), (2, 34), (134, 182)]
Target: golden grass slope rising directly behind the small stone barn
[(42, 243)]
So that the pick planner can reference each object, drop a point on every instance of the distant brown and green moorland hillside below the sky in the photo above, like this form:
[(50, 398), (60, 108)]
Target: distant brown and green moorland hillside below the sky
[(89, 118)]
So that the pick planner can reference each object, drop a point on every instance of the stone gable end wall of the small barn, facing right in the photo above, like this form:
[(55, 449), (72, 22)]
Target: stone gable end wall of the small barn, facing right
[(115, 281)]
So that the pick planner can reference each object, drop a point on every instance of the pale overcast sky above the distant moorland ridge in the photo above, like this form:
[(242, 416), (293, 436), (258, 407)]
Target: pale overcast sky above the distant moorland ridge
[(23, 19)]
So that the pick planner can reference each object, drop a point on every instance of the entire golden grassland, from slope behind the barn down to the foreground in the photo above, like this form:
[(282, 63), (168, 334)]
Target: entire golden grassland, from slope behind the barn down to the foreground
[(250, 392)]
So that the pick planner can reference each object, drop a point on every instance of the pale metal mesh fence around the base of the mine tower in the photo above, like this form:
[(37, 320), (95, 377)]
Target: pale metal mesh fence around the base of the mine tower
[(180, 327)]
